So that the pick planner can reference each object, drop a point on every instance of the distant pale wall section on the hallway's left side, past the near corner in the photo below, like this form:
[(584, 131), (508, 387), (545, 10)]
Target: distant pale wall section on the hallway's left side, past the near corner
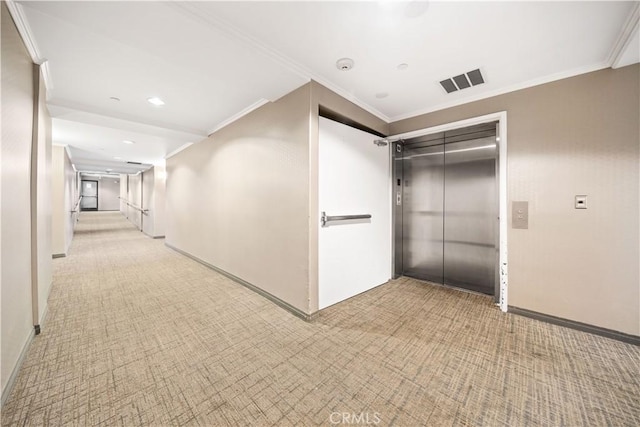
[(64, 198)]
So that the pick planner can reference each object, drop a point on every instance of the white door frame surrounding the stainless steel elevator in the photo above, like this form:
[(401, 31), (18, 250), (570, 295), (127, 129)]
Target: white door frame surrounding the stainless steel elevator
[(502, 263)]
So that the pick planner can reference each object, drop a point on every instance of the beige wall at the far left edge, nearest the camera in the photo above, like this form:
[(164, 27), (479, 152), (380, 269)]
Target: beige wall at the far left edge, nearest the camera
[(15, 250)]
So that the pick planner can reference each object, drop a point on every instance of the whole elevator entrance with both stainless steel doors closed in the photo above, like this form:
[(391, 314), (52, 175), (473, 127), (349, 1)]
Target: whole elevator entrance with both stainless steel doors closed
[(446, 204)]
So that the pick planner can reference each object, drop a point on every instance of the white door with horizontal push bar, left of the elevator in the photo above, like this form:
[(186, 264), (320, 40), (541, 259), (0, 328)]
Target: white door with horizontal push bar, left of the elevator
[(354, 179)]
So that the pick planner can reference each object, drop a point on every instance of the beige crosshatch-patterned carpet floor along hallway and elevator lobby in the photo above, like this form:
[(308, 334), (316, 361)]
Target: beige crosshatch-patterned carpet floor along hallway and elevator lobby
[(140, 335)]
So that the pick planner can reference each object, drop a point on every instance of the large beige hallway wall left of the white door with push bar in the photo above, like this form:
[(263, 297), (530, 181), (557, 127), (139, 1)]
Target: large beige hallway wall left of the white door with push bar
[(239, 200)]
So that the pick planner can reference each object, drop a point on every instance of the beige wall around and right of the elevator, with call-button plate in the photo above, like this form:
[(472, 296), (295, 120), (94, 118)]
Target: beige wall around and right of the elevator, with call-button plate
[(574, 136)]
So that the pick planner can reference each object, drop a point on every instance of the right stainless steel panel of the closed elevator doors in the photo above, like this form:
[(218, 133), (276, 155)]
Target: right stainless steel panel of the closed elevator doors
[(470, 214)]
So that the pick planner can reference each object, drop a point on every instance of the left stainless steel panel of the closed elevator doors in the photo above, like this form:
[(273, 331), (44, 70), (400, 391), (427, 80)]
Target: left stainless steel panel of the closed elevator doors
[(422, 212)]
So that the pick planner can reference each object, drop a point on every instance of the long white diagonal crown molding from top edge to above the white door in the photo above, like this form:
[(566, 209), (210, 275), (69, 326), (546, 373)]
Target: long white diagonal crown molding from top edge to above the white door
[(191, 9)]
